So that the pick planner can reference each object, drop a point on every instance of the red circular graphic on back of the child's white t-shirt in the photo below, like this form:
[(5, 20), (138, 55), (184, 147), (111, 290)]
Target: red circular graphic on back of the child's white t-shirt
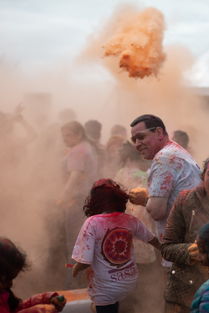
[(116, 246)]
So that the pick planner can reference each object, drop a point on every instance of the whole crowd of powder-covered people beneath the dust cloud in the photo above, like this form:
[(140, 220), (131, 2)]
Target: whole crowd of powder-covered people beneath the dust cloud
[(147, 207)]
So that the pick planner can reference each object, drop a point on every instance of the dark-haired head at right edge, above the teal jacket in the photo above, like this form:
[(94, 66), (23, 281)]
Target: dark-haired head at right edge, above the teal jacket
[(203, 244)]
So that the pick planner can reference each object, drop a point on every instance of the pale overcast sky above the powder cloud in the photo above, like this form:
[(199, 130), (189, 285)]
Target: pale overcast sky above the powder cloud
[(38, 32)]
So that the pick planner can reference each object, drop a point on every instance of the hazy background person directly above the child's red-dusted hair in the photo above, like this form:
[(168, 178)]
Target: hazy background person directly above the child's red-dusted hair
[(93, 129)]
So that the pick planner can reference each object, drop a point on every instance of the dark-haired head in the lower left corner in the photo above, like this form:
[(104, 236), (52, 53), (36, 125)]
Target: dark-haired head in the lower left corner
[(12, 261)]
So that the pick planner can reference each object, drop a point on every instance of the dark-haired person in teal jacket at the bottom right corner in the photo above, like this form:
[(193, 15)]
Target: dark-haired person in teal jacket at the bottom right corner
[(200, 302)]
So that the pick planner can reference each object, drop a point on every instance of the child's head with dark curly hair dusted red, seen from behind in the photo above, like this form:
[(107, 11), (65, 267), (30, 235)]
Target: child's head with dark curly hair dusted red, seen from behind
[(105, 196)]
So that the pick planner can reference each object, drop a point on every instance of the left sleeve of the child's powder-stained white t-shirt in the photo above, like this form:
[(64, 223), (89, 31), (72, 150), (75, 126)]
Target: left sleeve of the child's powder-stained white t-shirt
[(83, 251)]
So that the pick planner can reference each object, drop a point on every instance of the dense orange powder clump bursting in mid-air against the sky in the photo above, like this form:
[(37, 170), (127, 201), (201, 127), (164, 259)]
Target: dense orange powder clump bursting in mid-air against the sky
[(137, 43)]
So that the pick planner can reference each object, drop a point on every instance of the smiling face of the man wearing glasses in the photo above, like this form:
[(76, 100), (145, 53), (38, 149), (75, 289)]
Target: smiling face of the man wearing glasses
[(146, 141)]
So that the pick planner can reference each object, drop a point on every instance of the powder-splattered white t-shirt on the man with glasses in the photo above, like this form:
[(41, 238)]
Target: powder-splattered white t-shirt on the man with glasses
[(173, 170)]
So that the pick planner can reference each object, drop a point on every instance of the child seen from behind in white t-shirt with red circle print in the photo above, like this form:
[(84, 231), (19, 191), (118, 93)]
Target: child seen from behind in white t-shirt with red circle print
[(105, 244)]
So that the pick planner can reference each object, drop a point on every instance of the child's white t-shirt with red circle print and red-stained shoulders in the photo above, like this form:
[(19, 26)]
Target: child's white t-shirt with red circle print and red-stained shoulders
[(106, 242)]
